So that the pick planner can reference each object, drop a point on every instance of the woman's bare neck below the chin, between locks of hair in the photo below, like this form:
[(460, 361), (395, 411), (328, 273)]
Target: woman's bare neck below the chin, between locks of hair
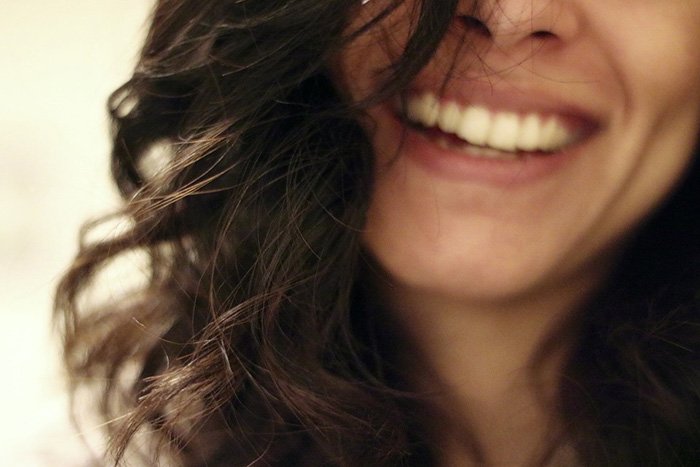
[(478, 366)]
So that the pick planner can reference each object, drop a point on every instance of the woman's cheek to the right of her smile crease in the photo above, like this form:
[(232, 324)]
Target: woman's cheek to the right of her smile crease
[(659, 78)]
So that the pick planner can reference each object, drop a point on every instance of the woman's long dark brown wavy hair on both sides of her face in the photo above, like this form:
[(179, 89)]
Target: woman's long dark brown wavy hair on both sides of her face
[(252, 337)]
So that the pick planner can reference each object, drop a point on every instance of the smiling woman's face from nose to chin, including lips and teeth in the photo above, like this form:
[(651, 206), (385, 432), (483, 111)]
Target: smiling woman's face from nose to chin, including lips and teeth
[(562, 124)]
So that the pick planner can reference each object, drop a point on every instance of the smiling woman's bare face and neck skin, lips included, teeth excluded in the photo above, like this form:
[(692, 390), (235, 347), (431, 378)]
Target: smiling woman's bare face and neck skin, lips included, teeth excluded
[(485, 259)]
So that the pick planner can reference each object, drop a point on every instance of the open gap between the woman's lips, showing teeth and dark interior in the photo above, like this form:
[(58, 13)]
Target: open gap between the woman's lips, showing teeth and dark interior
[(482, 132)]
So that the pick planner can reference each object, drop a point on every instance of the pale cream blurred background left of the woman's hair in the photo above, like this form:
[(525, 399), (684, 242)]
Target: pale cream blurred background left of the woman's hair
[(59, 61)]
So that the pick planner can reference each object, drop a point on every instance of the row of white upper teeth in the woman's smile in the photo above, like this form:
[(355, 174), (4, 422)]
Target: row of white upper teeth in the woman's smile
[(477, 125)]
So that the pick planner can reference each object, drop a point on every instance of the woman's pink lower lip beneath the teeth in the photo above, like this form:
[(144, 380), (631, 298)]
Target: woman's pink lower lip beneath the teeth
[(458, 165)]
